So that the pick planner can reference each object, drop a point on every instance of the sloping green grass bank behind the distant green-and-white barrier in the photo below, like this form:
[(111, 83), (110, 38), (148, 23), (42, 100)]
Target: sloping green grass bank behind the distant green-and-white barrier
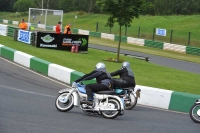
[(181, 26)]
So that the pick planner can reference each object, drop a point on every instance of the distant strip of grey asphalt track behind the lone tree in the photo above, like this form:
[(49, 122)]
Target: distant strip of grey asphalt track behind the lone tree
[(168, 62)]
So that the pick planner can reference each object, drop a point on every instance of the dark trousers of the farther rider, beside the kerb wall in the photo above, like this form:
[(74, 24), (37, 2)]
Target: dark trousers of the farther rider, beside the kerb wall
[(122, 83)]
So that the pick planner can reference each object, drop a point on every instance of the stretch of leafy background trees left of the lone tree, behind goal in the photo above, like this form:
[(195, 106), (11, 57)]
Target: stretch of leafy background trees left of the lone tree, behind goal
[(65, 5)]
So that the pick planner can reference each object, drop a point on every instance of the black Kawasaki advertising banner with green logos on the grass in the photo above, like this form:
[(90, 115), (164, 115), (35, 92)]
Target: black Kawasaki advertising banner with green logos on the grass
[(62, 41)]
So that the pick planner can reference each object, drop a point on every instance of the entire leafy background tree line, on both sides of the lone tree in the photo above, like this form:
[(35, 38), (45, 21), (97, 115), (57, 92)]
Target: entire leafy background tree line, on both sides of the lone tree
[(150, 7)]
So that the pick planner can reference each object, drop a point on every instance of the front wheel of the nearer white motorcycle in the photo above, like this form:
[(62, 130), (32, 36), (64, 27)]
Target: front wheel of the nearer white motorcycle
[(62, 104)]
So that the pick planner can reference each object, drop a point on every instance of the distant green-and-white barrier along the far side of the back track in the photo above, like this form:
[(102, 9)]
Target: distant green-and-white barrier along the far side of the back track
[(13, 31)]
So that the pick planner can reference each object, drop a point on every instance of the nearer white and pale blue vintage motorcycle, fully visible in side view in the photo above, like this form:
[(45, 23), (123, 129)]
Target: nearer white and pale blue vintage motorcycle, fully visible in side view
[(106, 103)]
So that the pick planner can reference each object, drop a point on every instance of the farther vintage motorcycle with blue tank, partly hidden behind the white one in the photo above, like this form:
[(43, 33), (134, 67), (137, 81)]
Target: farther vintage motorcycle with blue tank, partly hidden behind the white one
[(130, 97)]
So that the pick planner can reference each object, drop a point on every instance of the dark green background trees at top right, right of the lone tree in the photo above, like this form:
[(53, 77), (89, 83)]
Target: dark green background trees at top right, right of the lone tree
[(171, 7)]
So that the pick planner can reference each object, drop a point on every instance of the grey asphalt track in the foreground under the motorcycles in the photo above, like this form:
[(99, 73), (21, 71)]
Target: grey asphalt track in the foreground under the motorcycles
[(27, 105)]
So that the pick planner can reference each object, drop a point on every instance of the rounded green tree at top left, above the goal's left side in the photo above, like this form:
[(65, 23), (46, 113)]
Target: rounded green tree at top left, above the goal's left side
[(23, 5)]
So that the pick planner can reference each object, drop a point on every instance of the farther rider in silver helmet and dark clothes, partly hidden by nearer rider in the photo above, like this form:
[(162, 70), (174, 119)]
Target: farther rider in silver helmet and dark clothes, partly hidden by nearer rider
[(126, 76)]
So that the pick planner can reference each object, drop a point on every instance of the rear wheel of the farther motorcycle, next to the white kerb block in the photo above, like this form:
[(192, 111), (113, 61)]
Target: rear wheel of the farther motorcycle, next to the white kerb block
[(130, 100)]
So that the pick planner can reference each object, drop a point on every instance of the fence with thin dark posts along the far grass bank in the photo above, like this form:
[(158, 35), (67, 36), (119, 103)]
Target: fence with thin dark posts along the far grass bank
[(174, 36)]
